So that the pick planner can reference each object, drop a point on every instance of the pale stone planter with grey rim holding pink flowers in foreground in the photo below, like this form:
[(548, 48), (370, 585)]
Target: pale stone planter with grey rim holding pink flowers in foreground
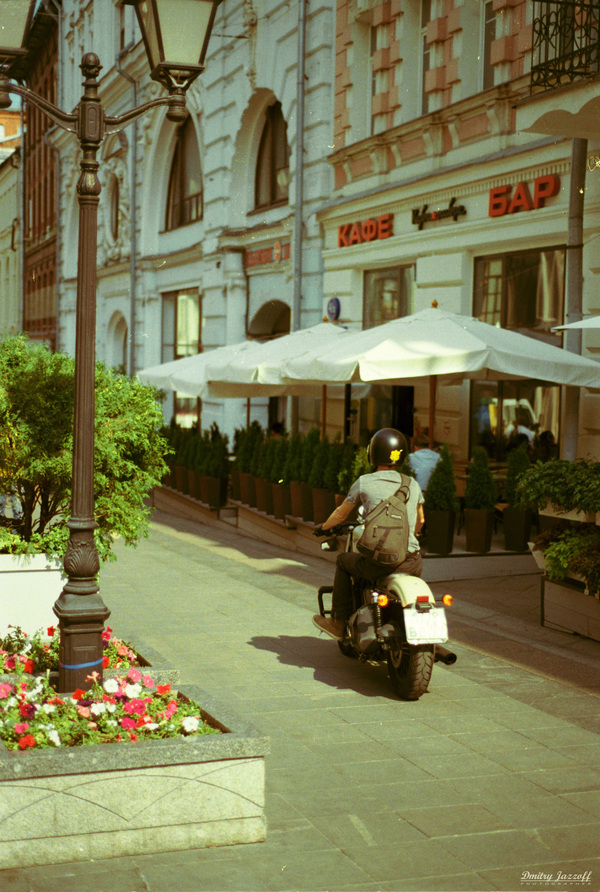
[(111, 800)]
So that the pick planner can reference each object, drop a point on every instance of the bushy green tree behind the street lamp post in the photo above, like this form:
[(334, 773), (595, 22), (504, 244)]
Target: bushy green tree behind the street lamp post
[(36, 445)]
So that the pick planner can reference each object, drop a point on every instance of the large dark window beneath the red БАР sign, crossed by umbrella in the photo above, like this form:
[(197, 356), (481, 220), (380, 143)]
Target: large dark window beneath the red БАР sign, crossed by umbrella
[(523, 292)]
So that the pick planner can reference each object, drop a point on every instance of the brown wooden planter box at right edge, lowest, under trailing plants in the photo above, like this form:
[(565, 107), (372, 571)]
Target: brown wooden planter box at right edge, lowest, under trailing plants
[(565, 605)]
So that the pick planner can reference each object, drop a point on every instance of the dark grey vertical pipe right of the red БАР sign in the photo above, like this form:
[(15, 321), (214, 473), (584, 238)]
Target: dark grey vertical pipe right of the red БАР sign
[(574, 286)]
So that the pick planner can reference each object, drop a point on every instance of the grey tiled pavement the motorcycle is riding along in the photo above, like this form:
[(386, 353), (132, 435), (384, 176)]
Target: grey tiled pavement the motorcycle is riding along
[(490, 780)]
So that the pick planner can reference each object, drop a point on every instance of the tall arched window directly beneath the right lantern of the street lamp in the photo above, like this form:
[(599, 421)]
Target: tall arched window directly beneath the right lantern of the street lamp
[(184, 200)]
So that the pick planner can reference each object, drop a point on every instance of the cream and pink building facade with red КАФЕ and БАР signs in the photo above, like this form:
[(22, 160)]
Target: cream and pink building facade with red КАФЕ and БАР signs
[(440, 199)]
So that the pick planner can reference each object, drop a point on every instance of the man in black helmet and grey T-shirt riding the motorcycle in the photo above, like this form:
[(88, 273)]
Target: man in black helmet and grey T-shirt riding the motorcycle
[(387, 450)]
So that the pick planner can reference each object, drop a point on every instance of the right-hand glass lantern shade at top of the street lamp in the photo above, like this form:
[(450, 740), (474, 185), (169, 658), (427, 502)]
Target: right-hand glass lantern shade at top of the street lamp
[(176, 35)]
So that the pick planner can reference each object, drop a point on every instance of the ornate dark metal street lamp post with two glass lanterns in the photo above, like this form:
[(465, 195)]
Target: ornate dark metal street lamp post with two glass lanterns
[(172, 33)]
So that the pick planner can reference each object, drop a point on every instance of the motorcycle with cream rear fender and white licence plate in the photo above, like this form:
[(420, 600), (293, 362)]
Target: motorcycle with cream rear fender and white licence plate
[(396, 619)]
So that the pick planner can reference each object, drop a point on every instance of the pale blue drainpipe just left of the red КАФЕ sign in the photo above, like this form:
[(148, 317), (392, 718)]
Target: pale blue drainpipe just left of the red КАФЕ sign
[(299, 204)]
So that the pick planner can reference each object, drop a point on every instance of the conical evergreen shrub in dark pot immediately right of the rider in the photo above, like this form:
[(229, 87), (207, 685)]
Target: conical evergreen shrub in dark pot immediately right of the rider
[(441, 505)]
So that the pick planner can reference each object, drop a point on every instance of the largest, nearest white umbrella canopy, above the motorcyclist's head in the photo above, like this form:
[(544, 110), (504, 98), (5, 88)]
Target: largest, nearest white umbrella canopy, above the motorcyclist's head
[(436, 342)]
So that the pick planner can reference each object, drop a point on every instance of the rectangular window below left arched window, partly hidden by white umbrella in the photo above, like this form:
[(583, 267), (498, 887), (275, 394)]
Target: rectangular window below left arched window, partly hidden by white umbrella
[(181, 336)]
